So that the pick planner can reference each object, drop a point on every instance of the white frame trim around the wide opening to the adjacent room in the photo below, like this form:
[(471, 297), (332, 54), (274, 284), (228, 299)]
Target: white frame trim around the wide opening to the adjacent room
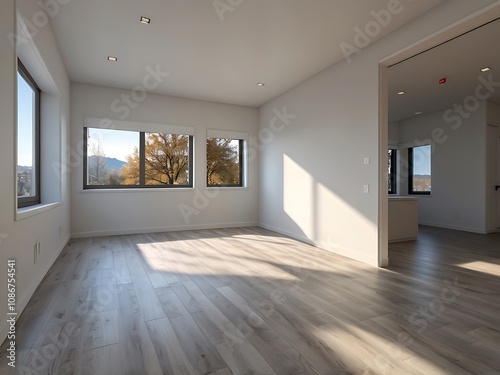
[(472, 21)]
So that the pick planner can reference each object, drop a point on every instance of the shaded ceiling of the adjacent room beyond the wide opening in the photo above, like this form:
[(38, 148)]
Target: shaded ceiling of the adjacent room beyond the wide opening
[(459, 60)]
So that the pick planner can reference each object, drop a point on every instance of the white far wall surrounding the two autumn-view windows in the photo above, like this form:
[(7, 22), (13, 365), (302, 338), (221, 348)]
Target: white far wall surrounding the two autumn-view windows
[(131, 211)]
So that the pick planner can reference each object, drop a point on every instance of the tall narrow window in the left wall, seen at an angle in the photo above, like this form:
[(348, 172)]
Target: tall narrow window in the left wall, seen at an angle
[(28, 139)]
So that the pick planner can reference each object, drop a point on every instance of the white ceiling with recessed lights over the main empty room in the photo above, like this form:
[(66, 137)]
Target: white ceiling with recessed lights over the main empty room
[(210, 56)]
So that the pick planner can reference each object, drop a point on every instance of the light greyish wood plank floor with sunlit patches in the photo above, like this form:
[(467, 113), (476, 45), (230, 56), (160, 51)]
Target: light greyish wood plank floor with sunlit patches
[(249, 301)]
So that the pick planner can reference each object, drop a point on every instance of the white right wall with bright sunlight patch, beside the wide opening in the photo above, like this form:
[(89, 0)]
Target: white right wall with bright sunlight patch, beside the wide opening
[(312, 172)]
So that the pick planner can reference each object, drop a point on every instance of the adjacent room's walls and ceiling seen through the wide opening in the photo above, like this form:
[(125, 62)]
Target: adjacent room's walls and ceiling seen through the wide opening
[(443, 132)]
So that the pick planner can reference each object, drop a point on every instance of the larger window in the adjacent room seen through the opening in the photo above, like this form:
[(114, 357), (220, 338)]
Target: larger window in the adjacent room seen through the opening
[(420, 170)]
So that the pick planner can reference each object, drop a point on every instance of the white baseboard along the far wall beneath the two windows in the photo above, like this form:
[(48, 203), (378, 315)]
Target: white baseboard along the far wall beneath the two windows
[(121, 232)]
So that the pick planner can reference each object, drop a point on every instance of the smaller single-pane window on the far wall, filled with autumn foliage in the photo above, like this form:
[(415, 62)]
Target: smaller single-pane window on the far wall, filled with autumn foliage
[(224, 162)]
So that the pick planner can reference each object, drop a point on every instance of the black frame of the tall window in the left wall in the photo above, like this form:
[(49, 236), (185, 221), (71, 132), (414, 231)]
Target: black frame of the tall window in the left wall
[(23, 202)]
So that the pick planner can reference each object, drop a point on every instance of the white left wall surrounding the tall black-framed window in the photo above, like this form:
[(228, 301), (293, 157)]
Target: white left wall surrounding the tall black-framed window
[(18, 233)]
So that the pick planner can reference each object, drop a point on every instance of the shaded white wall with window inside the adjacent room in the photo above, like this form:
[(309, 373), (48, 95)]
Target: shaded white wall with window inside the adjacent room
[(458, 168)]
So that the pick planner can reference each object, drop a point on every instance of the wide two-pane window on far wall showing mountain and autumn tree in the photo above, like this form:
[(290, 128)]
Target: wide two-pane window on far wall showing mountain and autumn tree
[(131, 159)]
